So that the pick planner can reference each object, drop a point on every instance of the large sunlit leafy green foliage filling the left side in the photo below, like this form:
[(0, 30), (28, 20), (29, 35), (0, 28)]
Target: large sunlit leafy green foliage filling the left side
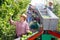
[(10, 8)]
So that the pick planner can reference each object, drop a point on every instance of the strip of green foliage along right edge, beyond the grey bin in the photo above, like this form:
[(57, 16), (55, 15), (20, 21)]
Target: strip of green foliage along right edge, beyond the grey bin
[(57, 12)]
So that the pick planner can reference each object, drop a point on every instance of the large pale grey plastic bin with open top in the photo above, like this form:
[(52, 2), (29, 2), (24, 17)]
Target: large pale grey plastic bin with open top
[(48, 19)]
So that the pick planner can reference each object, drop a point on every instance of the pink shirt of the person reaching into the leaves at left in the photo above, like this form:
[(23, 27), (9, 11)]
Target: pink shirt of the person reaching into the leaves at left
[(21, 27)]
